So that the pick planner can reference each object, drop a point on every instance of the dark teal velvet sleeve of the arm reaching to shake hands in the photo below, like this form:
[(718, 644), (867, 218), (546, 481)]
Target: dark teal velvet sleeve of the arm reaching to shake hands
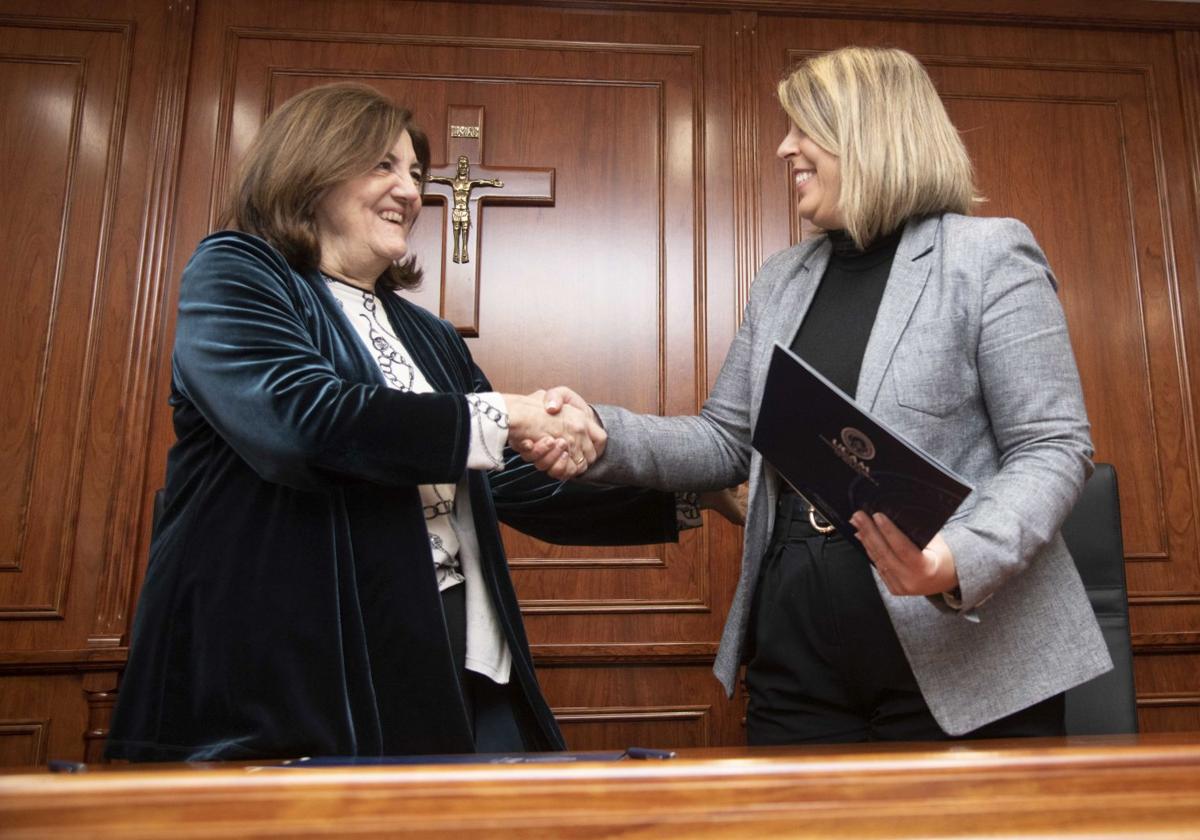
[(247, 357)]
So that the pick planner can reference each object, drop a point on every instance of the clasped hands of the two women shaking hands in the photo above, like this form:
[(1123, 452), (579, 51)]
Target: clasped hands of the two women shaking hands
[(556, 431)]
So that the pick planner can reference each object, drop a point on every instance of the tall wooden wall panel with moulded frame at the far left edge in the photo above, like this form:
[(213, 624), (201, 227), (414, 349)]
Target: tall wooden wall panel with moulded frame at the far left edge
[(63, 92)]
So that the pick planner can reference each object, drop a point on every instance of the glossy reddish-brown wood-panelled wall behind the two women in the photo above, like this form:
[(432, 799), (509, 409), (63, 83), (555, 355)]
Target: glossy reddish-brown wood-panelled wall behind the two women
[(125, 118)]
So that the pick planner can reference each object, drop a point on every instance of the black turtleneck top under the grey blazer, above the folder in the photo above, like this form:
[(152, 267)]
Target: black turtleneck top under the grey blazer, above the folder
[(833, 335)]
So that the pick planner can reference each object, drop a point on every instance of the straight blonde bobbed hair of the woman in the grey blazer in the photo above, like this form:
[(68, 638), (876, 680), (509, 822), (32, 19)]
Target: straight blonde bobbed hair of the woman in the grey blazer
[(877, 110)]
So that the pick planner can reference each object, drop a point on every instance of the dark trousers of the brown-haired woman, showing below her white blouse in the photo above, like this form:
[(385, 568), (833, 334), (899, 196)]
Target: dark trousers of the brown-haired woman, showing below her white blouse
[(490, 706)]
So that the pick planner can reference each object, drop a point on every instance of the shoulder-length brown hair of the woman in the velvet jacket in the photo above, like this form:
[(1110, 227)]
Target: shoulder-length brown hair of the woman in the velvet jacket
[(311, 143)]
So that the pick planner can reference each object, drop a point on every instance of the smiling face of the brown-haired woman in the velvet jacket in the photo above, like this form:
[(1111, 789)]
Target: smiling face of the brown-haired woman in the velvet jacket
[(363, 224)]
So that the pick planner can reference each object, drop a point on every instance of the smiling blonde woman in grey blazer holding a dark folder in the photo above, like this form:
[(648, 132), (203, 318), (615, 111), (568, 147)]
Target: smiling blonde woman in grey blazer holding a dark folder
[(947, 328)]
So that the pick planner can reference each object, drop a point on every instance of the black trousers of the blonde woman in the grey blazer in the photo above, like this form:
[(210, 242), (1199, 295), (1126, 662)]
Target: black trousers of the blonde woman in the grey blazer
[(826, 665)]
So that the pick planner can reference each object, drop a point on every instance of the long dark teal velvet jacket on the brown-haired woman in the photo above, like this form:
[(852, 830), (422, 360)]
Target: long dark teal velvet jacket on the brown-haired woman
[(291, 605)]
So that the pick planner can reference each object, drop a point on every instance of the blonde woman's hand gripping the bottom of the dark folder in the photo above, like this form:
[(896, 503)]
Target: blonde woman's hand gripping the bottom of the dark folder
[(904, 568)]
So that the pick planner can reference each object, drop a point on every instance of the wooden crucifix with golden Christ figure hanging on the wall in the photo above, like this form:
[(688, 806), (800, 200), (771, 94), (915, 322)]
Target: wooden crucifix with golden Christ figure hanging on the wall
[(466, 185)]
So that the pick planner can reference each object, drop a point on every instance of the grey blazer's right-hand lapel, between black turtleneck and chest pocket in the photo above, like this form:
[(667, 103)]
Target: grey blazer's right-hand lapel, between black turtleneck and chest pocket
[(915, 260)]
